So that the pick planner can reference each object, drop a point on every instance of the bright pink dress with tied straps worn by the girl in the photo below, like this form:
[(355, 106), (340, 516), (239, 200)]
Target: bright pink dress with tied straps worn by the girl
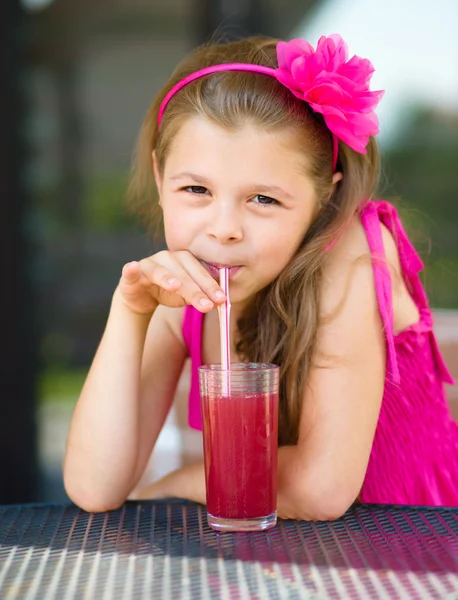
[(414, 456)]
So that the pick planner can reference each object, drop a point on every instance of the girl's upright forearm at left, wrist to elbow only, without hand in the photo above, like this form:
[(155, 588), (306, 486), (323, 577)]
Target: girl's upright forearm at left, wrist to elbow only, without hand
[(102, 444)]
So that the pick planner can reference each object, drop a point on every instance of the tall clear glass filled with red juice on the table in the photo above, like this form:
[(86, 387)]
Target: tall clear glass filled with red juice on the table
[(240, 433)]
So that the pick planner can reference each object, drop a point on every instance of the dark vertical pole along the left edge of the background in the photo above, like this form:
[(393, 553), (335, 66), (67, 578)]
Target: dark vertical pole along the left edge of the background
[(18, 464)]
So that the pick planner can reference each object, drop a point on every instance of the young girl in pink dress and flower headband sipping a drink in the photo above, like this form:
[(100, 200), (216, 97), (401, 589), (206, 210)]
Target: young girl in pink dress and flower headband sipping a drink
[(264, 159)]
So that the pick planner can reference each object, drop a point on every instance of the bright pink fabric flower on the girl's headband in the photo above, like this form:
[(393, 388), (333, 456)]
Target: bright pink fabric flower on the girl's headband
[(333, 86)]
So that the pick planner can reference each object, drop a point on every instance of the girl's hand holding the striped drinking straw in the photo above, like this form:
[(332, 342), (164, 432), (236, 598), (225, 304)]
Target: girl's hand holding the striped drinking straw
[(172, 279)]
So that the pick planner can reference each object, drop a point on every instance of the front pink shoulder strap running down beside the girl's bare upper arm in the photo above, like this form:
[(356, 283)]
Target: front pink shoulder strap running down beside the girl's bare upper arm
[(371, 223)]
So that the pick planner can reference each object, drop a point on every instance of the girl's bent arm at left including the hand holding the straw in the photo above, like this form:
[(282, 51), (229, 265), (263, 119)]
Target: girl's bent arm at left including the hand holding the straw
[(132, 380)]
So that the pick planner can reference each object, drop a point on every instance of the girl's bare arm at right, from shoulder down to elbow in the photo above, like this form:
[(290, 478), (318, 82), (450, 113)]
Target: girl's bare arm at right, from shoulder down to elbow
[(343, 397)]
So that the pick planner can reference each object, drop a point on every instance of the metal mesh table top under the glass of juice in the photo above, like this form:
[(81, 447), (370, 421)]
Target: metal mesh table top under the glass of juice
[(166, 550)]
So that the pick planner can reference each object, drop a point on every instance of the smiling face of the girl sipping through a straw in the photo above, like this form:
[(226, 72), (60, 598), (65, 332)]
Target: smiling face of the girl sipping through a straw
[(236, 198)]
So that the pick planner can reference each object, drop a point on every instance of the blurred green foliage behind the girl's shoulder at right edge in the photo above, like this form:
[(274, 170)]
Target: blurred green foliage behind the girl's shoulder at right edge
[(421, 172)]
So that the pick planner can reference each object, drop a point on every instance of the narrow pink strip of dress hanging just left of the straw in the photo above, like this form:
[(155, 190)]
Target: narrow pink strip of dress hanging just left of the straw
[(192, 335)]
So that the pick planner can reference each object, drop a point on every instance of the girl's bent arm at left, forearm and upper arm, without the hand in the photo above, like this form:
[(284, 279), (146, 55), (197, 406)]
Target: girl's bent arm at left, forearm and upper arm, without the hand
[(122, 407)]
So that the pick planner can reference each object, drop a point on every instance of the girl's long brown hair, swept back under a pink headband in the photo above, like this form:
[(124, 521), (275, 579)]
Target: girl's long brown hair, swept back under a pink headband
[(280, 324)]
